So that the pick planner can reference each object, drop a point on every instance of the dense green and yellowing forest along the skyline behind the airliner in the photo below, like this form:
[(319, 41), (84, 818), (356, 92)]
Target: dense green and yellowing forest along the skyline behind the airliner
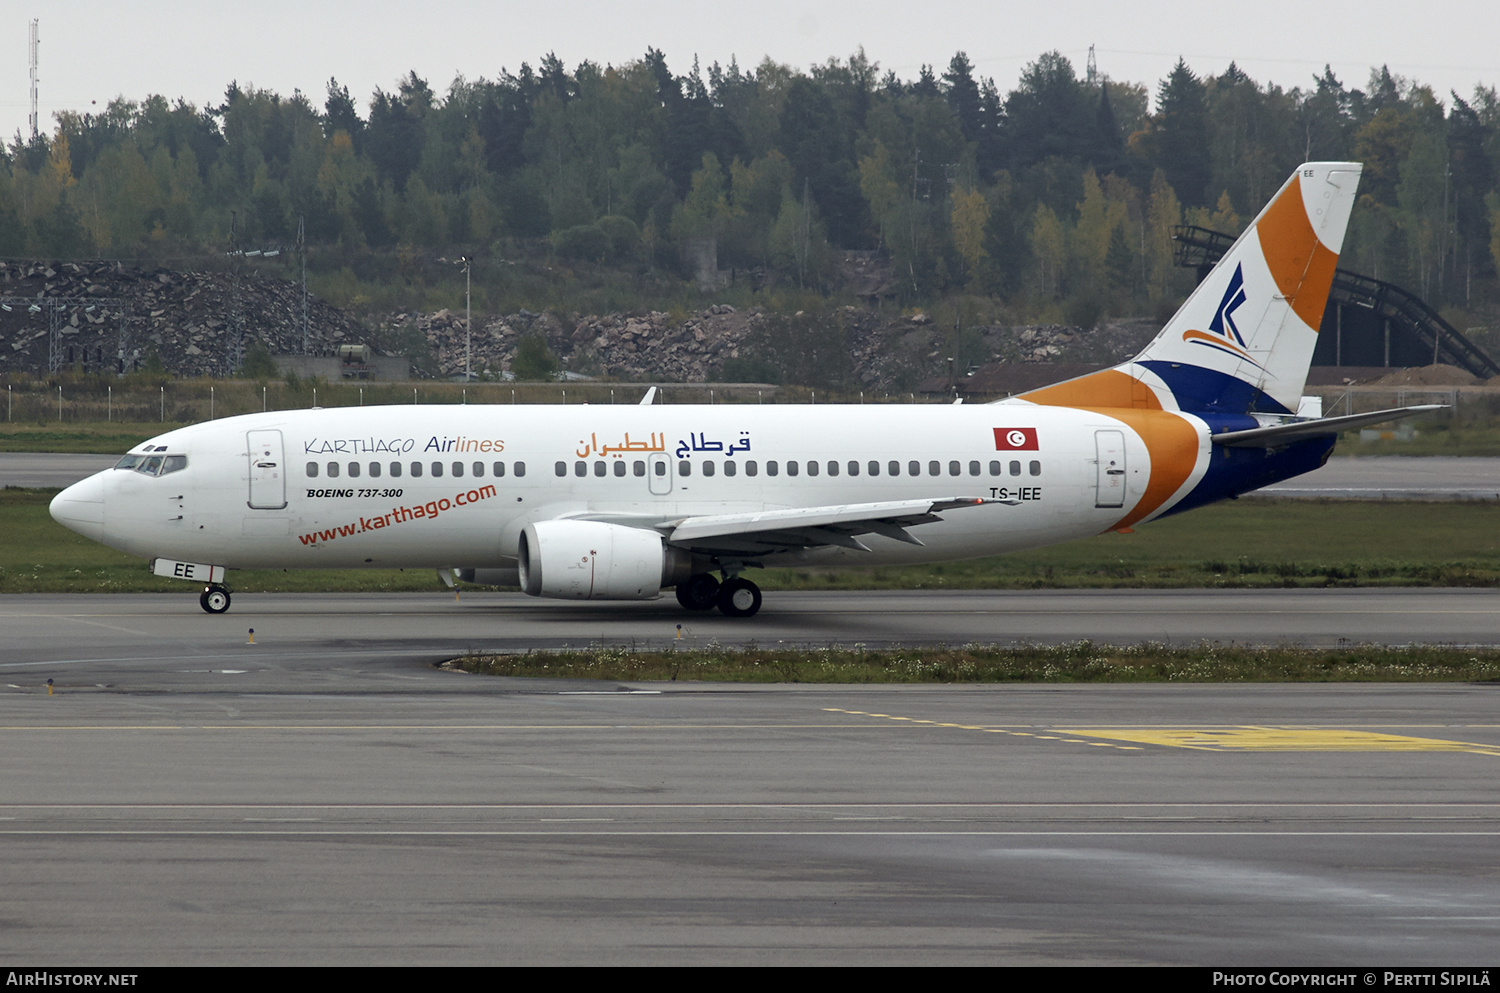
[(1055, 200)]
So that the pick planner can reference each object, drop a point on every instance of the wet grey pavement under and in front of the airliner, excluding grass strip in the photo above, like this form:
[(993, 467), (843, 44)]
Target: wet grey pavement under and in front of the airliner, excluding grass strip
[(328, 796)]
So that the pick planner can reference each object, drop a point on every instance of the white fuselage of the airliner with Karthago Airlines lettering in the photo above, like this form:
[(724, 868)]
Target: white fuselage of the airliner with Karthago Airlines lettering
[(454, 487)]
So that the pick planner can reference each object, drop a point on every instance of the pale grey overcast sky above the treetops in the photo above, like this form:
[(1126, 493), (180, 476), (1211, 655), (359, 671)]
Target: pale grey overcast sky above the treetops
[(94, 52)]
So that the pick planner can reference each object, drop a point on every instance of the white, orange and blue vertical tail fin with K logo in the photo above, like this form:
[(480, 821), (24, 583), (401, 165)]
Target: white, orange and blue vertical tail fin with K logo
[(1244, 340)]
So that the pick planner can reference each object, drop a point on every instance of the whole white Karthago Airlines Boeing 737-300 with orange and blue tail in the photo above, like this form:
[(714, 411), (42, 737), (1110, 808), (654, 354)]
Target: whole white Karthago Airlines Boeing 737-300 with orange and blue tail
[(619, 503)]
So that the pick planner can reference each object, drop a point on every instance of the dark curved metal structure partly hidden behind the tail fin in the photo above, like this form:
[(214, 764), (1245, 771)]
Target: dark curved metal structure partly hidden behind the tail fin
[(1367, 323)]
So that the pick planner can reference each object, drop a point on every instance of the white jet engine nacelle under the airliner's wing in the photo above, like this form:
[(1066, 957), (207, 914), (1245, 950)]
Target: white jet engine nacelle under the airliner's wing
[(590, 560)]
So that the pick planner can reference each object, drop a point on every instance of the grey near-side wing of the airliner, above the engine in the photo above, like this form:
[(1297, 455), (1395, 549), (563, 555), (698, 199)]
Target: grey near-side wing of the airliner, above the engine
[(772, 532)]
